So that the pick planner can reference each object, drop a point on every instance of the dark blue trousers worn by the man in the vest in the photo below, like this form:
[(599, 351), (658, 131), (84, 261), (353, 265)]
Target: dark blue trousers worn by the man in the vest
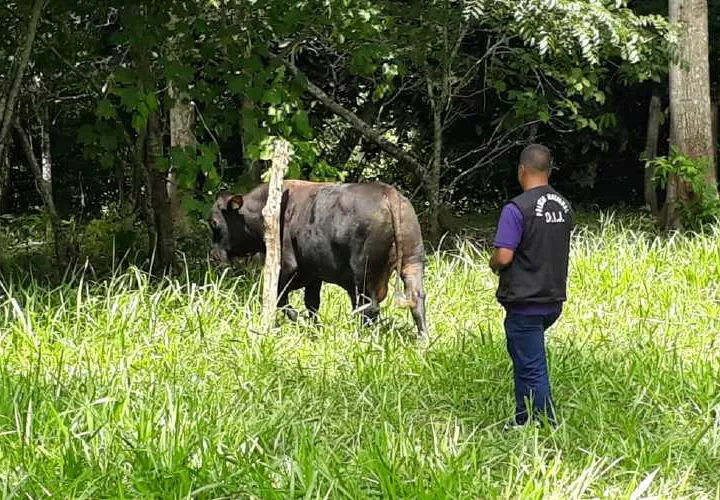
[(526, 345)]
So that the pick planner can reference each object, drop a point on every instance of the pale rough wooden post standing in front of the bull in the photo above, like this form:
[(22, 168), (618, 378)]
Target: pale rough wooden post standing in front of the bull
[(271, 216)]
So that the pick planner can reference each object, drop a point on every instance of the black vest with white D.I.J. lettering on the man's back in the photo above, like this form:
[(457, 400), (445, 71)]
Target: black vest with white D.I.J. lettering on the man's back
[(538, 272)]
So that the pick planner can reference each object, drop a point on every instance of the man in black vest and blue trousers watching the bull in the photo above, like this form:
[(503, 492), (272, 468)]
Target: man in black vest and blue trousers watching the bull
[(531, 257)]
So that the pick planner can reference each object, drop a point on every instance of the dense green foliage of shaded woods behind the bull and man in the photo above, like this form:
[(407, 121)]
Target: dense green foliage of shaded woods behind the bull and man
[(458, 86)]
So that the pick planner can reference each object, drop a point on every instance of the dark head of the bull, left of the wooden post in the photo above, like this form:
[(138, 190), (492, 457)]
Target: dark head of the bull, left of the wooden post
[(233, 234)]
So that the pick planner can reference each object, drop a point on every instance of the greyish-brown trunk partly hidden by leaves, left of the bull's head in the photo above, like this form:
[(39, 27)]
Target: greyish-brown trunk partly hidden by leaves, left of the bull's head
[(182, 122)]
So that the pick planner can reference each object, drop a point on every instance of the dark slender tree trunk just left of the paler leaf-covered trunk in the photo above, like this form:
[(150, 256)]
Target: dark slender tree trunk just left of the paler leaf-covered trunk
[(163, 244)]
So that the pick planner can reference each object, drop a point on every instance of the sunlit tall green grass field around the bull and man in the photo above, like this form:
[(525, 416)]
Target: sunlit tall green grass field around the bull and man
[(125, 388)]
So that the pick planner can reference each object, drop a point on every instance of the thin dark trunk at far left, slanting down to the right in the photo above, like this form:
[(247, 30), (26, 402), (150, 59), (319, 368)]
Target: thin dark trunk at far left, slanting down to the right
[(64, 249)]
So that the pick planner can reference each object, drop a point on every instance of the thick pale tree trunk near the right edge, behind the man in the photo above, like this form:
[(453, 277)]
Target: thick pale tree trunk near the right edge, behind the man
[(690, 115)]
